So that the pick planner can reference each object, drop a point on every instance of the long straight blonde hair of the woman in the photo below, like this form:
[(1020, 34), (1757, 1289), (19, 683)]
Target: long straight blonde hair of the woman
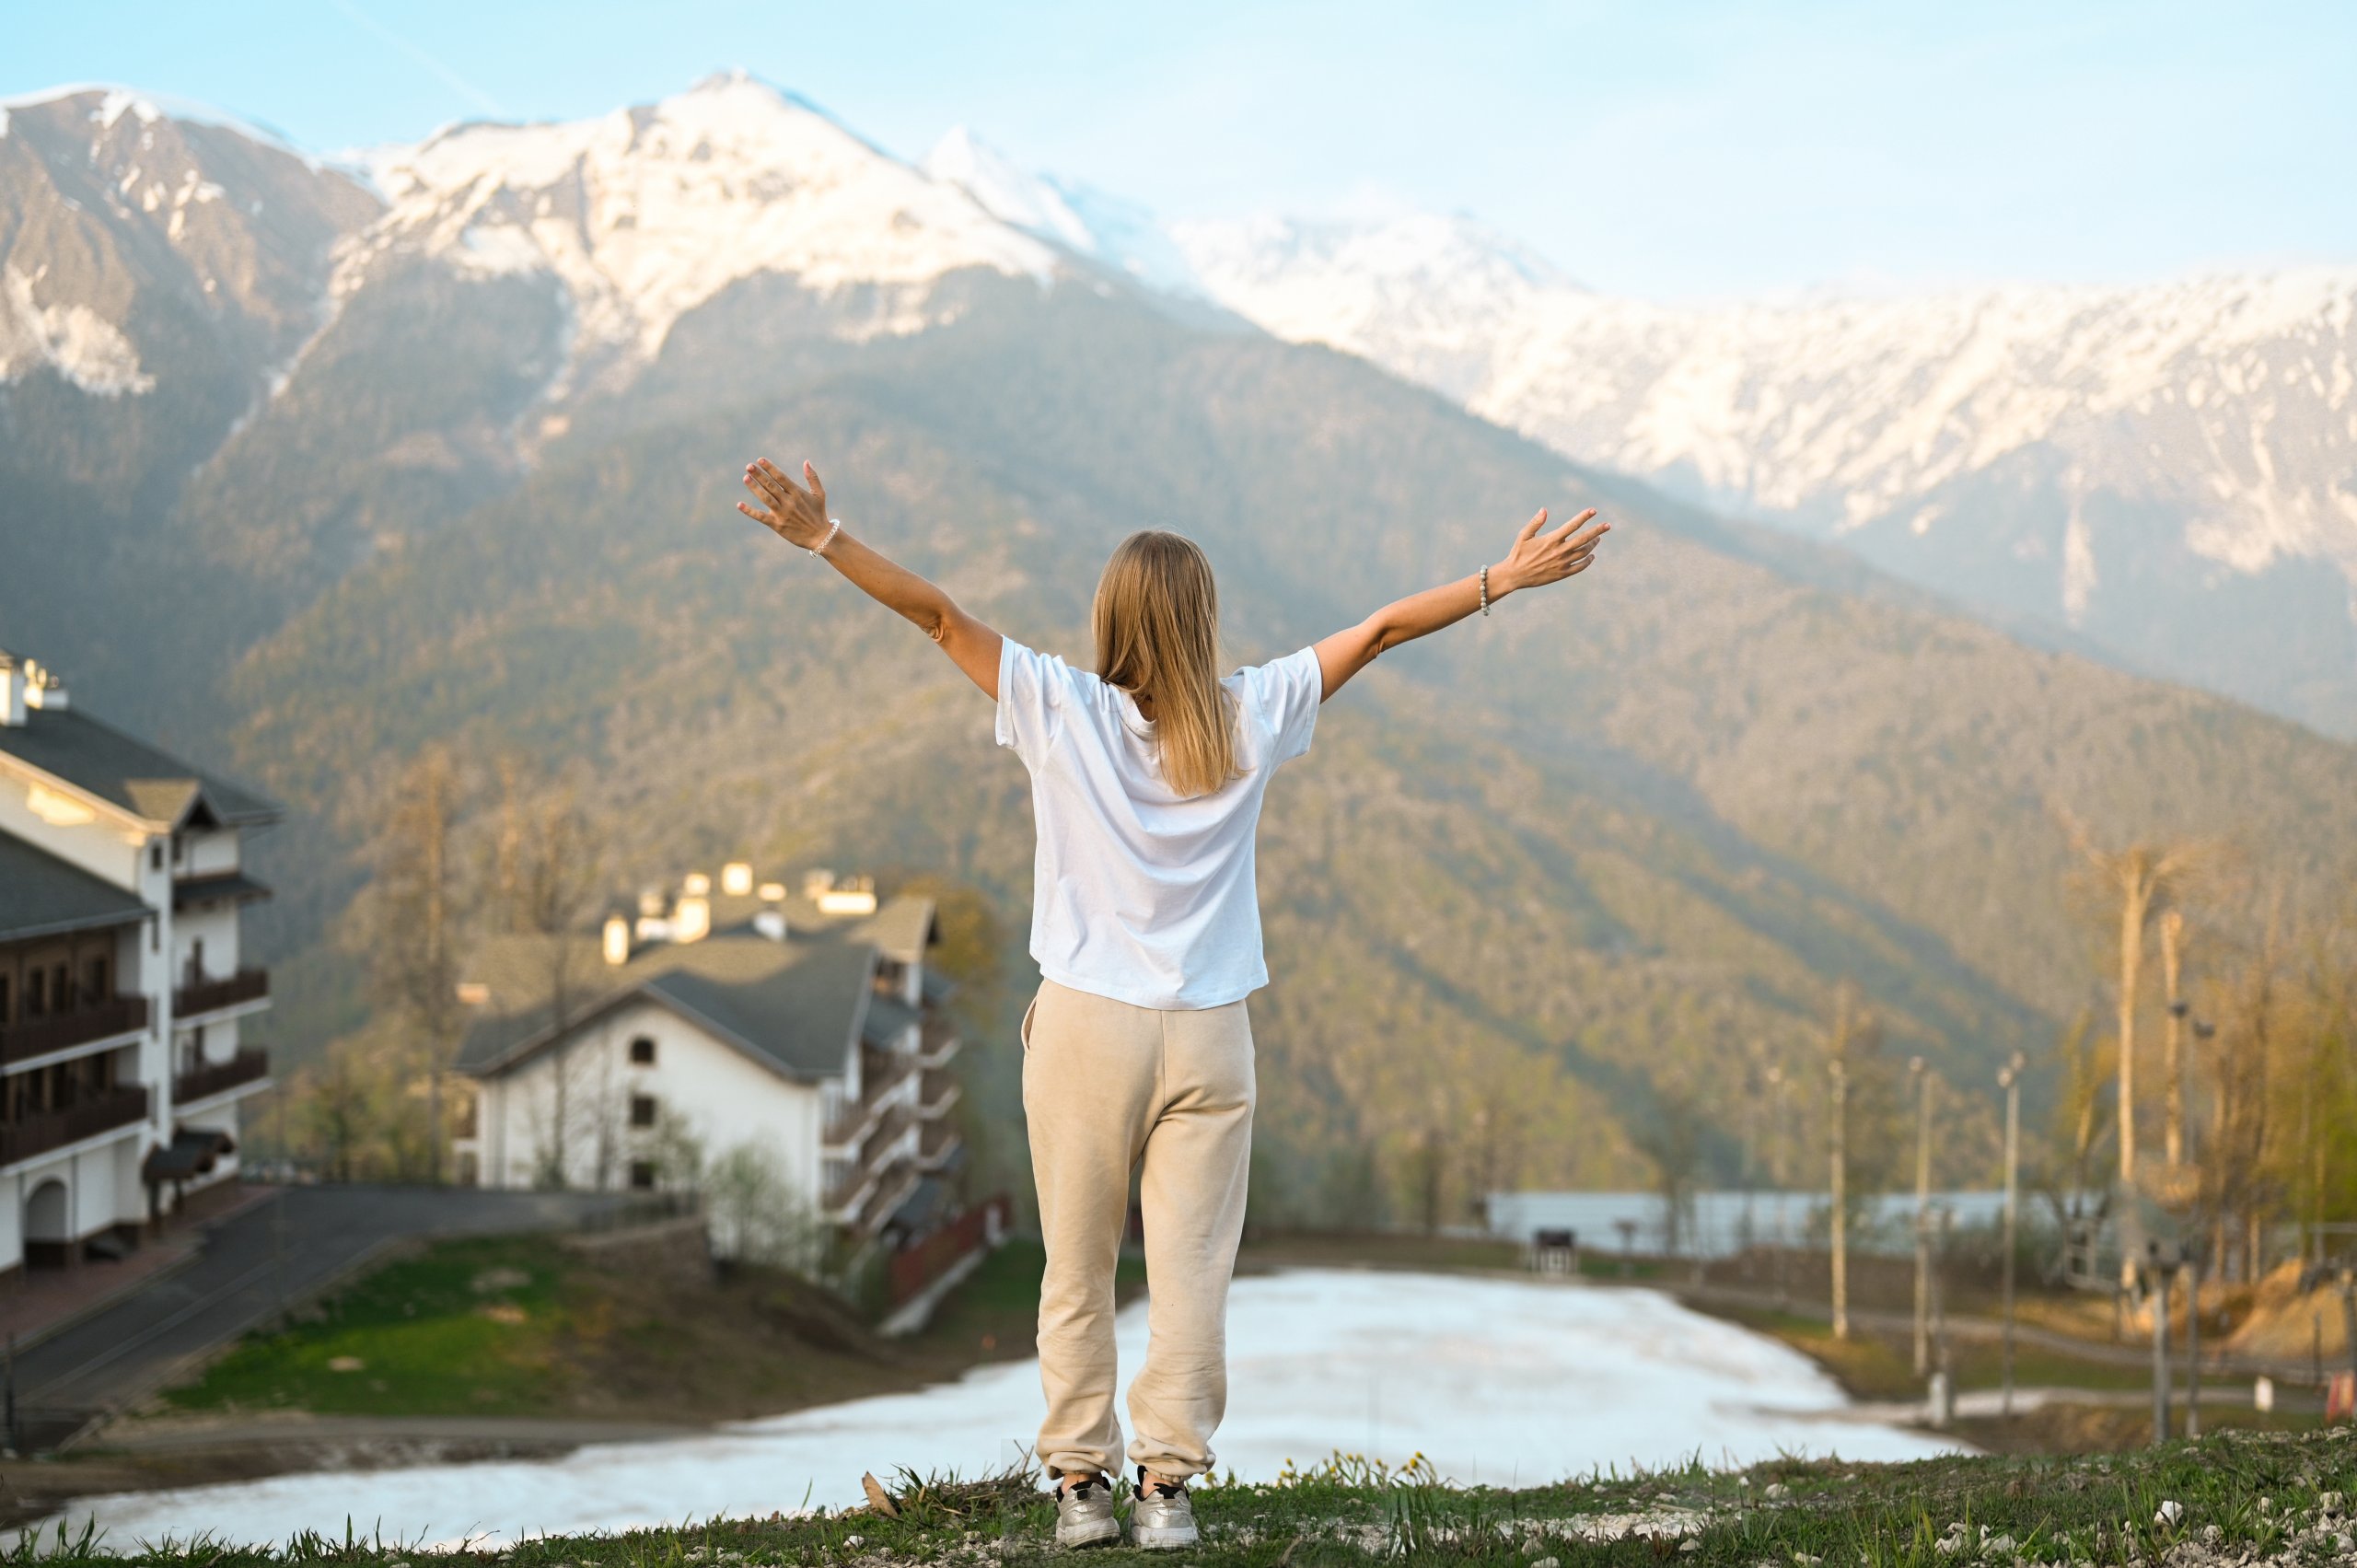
[(1158, 635)]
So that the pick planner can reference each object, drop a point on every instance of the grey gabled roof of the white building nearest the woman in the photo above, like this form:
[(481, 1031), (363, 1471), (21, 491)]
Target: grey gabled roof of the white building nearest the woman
[(798, 1006)]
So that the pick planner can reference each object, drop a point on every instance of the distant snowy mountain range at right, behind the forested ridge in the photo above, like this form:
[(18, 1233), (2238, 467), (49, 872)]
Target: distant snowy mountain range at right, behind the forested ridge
[(2167, 473)]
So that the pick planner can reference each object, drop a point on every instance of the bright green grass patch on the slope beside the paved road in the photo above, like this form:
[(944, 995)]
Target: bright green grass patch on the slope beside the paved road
[(463, 1326)]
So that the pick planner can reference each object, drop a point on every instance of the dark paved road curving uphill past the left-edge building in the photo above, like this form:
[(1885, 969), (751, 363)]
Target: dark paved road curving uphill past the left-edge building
[(253, 1265)]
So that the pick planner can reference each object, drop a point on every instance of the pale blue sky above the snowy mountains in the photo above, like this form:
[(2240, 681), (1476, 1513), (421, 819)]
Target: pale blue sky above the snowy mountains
[(1668, 150)]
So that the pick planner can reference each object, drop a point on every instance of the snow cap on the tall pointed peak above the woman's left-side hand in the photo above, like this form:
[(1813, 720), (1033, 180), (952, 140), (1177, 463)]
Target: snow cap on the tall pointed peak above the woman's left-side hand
[(652, 211)]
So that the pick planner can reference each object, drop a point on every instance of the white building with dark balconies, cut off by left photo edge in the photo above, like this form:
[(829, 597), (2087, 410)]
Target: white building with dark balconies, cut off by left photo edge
[(124, 989)]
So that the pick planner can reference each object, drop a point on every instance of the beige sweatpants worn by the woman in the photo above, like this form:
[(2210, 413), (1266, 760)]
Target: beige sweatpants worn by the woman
[(1107, 1088)]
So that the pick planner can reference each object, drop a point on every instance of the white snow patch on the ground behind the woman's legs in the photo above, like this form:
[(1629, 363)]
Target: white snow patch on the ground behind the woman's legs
[(1493, 1381)]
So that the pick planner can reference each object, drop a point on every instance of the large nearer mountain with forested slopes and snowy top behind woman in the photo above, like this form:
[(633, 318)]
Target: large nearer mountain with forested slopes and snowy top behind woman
[(303, 468)]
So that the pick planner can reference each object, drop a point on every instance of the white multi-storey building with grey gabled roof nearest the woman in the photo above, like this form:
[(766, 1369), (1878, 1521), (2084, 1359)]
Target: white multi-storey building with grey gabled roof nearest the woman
[(798, 1025)]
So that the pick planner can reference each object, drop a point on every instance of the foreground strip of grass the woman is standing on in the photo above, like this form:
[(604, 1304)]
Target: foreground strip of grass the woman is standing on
[(2245, 1494)]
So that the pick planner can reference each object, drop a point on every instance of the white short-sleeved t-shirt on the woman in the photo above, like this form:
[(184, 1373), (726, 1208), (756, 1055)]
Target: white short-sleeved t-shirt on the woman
[(1142, 895)]
